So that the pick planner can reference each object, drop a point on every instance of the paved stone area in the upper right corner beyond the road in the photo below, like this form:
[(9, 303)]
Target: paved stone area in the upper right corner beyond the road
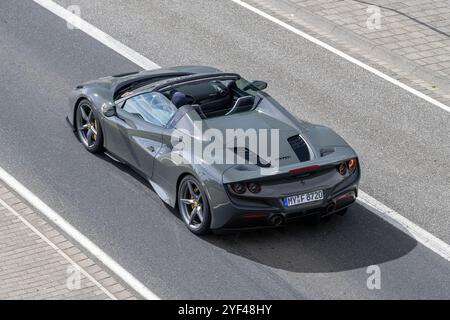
[(413, 35)]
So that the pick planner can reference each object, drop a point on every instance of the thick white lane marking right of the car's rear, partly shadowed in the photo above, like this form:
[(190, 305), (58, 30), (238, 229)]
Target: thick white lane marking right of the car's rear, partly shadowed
[(420, 235)]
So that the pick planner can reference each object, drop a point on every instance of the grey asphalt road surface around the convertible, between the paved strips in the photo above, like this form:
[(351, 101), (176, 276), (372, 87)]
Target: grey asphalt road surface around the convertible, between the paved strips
[(402, 140)]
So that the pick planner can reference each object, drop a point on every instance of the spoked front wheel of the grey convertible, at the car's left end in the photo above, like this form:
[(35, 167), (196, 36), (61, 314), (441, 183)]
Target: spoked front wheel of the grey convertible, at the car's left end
[(88, 127)]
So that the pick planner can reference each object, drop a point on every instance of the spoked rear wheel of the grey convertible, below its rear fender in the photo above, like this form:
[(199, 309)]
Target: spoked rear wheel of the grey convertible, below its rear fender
[(194, 206)]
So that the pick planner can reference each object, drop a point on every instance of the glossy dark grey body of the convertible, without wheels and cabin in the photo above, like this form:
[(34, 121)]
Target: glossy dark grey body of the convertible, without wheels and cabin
[(311, 157)]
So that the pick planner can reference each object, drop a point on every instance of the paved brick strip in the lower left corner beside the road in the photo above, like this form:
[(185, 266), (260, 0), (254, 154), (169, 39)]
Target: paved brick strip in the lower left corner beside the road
[(37, 261)]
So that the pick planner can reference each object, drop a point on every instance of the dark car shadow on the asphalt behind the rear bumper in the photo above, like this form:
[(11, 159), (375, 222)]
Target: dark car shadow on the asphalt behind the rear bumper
[(357, 240)]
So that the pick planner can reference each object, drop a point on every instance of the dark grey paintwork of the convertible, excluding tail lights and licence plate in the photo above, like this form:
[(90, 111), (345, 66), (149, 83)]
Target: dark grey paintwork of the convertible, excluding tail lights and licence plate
[(147, 149)]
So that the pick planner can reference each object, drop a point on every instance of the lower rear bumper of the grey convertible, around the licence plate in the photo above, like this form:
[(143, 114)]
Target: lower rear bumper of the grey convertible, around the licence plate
[(234, 215)]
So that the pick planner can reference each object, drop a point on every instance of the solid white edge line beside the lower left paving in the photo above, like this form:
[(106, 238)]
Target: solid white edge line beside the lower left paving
[(77, 236)]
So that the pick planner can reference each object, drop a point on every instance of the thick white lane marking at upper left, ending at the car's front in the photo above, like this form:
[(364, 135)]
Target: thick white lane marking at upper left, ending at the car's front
[(97, 34)]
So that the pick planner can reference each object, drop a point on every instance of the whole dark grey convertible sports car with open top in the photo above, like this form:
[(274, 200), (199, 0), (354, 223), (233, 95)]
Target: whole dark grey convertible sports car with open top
[(134, 118)]
